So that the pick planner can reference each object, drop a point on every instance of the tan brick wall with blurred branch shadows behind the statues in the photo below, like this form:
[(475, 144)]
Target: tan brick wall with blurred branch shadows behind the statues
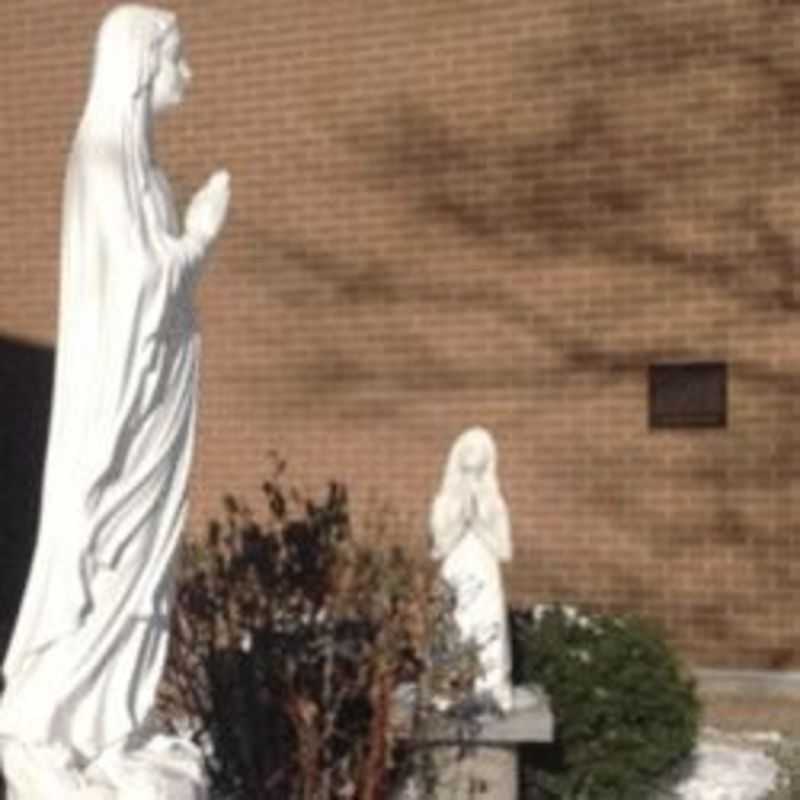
[(457, 211)]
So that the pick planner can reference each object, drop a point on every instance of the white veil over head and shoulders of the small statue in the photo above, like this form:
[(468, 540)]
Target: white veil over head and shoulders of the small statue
[(493, 527)]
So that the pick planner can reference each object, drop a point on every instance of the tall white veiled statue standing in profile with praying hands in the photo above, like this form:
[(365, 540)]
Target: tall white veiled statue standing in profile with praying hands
[(90, 641)]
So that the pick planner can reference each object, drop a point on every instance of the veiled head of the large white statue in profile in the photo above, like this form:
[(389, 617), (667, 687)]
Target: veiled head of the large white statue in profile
[(139, 54)]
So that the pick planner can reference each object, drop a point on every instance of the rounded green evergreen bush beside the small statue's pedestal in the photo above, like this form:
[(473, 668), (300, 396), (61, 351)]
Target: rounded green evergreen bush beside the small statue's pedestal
[(625, 710)]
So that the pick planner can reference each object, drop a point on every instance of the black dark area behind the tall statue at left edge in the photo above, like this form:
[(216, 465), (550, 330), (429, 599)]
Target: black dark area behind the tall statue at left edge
[(26, 372)]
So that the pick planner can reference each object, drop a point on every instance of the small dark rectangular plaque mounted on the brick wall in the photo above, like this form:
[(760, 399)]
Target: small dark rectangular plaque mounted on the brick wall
[(688, 395)]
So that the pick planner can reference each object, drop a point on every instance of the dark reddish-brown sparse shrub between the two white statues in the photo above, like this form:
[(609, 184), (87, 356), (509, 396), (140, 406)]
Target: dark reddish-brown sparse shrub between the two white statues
[(291, 636)]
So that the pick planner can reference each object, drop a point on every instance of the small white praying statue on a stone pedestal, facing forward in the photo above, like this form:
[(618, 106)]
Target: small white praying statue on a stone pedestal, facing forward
[(471, 533)]
